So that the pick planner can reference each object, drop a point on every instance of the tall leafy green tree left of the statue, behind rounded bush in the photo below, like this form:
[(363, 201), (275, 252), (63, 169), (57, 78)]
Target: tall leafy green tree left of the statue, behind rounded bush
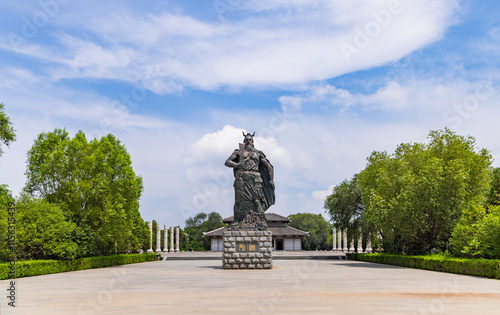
[(95, 186)]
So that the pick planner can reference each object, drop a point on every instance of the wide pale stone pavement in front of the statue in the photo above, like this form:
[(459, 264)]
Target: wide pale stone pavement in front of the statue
[(291, 287)]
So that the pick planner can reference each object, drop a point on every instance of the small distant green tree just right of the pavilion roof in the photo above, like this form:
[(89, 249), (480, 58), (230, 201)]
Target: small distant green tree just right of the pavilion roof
[(318, 229)]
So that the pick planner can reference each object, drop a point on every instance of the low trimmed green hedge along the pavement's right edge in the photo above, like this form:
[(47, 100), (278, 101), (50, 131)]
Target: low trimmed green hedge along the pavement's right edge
[(488, 268)]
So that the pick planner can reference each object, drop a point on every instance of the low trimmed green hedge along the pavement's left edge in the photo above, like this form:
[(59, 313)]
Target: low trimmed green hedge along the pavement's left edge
[(29, 268)]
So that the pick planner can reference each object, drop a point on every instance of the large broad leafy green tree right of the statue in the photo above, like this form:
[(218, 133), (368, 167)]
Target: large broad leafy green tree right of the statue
[(415, 196)]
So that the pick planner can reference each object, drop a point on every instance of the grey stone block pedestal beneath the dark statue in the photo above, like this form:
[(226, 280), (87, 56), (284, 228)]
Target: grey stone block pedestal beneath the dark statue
[(255, 254)]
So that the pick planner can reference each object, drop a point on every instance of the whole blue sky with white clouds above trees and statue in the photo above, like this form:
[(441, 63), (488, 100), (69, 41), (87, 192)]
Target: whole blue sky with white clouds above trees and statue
[(322, 83)]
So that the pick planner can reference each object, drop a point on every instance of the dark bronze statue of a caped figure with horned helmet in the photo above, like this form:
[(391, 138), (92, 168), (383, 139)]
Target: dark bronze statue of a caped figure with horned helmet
[(253, 185)]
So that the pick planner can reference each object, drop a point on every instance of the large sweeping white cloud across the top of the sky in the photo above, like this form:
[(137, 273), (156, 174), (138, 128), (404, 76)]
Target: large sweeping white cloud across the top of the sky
[(280, 44)]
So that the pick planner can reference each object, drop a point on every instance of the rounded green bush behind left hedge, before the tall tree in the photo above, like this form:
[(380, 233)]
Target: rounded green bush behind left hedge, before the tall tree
[(42, 231)]
